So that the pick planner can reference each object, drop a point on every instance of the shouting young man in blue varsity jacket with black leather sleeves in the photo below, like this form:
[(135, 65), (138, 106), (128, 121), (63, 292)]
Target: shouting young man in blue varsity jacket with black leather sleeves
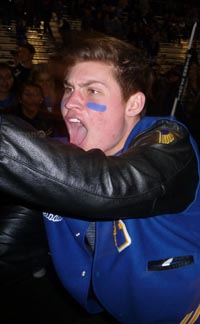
[(121, 200)]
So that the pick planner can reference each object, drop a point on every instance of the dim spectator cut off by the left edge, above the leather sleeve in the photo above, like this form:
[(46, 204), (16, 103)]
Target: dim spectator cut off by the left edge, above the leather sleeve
[(8, 98)]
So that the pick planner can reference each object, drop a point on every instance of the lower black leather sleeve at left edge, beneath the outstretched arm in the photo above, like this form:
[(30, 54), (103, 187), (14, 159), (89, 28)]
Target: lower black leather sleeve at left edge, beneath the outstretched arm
[(23, 241)]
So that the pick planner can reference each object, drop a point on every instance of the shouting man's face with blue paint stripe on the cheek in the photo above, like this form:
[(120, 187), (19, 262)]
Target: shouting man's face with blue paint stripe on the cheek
[(93, 108)]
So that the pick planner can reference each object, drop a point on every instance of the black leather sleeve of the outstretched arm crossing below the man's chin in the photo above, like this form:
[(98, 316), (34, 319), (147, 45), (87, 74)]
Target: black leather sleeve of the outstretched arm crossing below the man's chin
[(149, 179)]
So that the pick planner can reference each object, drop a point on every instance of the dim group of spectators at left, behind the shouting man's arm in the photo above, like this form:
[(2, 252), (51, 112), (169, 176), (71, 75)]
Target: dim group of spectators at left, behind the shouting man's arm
[(30, 91)]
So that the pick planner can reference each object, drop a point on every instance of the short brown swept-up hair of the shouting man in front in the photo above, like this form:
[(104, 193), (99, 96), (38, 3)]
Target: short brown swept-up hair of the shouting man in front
[(130, 67)]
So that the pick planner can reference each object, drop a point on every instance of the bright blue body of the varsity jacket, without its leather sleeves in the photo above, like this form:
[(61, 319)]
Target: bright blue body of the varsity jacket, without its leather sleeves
[(143, 271)]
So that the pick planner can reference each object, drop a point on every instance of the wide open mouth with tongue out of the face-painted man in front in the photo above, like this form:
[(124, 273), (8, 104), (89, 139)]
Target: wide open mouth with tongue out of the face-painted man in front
[(77, 131)]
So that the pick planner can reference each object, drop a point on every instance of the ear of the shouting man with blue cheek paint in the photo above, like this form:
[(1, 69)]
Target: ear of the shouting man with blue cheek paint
[(135, 104)]
